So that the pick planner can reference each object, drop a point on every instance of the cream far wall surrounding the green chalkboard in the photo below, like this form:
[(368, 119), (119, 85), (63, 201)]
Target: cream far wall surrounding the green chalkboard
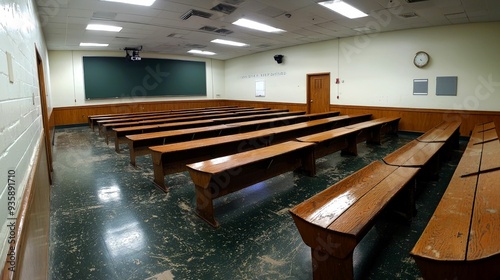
[(68, 84)]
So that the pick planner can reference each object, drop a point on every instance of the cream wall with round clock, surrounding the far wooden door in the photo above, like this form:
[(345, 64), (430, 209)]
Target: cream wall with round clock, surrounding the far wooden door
[(378, 70)]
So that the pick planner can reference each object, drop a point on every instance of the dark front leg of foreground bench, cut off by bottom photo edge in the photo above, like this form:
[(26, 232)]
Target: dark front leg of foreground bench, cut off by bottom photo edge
[(326, 266)]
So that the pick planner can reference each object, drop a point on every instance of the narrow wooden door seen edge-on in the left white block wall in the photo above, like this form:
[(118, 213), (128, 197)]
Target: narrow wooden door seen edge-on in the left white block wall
[(45, 114)]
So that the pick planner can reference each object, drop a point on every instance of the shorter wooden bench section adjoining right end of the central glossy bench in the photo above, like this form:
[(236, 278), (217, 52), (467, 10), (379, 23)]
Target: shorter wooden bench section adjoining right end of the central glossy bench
[(346, 138)]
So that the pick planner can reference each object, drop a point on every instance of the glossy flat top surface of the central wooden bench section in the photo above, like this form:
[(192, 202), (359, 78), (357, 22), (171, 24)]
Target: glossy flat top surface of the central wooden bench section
[(224, 163)]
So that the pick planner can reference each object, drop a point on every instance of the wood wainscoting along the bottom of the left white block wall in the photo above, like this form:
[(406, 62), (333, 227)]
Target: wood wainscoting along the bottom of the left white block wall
[(32, 224)]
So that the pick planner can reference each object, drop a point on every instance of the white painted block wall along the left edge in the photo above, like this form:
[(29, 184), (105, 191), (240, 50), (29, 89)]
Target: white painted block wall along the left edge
[(20, 122)]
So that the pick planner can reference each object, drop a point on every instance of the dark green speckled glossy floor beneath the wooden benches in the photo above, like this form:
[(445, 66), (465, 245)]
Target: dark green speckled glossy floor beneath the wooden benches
[(108, 221)]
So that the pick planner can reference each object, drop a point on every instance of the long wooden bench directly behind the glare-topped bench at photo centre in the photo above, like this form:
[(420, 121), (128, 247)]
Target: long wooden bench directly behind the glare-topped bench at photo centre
[(172, 158)]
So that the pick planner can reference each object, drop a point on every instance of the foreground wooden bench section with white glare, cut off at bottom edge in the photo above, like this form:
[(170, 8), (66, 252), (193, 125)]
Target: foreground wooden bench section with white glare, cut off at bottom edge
[(334, 221)]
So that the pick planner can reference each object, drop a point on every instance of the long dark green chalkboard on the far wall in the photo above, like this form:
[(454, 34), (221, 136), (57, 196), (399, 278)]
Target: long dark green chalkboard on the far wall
[(117, 77)]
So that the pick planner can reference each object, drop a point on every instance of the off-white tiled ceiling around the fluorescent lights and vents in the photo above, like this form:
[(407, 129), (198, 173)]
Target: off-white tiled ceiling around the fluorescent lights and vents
[(160, 29)]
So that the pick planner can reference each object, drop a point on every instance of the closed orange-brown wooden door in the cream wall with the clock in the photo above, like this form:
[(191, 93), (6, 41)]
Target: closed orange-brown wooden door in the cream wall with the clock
[(318, 93)]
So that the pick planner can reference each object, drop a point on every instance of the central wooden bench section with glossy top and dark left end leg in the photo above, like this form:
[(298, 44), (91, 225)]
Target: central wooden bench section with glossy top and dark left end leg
[(220, 176)]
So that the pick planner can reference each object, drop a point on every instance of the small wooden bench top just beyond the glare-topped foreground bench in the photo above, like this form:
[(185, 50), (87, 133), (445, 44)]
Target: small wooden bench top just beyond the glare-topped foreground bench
[(415, 153)]
